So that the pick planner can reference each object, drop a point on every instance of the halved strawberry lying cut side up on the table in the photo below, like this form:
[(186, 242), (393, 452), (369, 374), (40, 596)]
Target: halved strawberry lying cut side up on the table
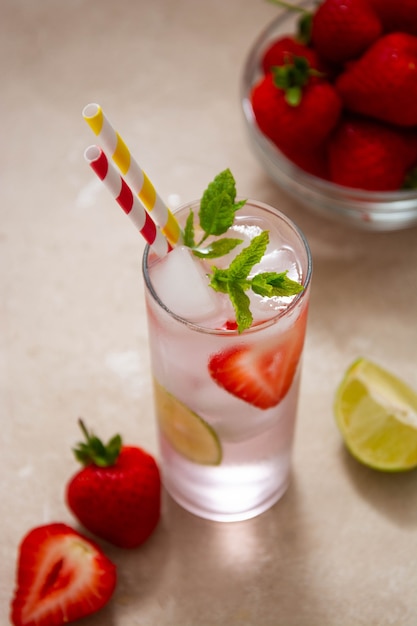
[(62, 576)]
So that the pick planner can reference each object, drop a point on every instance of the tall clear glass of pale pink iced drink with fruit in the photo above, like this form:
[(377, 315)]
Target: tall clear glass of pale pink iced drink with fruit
[(226, 400)]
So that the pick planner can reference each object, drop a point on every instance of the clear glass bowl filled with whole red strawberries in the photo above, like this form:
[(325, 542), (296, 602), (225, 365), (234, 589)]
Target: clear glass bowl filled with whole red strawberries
[(365, 74)]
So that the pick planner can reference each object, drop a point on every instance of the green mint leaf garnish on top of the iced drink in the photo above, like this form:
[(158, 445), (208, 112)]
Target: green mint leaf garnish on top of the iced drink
[(216, 215)]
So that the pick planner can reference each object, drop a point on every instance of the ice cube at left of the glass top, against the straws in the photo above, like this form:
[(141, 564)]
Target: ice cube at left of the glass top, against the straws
[(182, 285)]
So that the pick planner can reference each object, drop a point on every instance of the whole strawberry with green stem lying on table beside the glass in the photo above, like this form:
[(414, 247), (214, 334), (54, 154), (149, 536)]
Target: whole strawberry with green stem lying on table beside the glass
[(117, 494)]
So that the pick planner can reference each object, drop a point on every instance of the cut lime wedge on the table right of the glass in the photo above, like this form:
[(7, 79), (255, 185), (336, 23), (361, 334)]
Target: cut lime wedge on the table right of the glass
[(377, 416)]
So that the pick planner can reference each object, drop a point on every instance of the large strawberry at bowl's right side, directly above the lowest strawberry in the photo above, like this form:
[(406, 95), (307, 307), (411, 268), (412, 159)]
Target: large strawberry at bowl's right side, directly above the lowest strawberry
[(383, 82)]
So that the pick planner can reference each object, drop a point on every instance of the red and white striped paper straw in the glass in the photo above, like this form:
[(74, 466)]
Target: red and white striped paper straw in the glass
[(129, 202)]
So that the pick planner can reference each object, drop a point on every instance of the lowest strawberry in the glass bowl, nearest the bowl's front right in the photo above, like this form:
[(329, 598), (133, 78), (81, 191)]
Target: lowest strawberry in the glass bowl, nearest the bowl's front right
[(370, 155)]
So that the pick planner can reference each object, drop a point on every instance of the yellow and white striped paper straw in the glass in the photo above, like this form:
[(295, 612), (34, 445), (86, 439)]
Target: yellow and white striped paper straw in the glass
[(132, 172)]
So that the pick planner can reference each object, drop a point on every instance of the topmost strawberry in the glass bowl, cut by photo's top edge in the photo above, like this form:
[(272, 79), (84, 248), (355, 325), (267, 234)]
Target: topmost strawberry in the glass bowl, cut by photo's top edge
[(343, 29)]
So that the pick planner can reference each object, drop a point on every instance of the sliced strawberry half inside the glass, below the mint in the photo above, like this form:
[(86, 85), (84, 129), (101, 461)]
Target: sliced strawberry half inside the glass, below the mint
[(259, 374)]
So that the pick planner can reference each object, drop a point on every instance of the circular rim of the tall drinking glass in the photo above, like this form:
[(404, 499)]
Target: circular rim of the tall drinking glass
[(254, 328)]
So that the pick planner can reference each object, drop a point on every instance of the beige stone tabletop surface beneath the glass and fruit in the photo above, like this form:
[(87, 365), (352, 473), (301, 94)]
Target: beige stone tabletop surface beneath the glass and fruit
[(340, 549)]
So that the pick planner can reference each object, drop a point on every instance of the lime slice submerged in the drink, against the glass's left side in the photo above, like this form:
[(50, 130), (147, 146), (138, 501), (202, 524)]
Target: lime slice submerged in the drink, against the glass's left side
[(186, 431)]
